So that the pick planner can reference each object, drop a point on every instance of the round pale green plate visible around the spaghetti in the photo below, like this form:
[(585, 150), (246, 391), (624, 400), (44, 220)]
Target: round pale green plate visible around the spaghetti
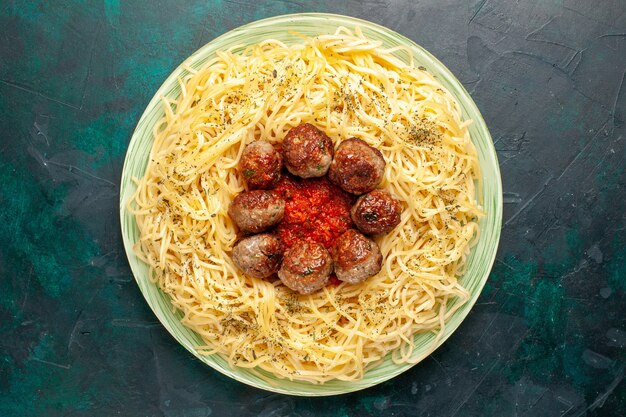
[(283, 28)]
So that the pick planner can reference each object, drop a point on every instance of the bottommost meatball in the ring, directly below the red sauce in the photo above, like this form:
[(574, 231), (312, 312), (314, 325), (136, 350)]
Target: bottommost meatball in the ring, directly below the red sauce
[(306, 267)]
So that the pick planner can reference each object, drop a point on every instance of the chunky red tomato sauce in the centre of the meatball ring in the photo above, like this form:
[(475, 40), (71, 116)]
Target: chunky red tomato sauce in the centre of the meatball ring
[(315, 210)]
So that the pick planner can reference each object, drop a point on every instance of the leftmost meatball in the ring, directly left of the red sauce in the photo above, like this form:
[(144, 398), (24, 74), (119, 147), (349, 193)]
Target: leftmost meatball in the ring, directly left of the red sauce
[(255, 211)]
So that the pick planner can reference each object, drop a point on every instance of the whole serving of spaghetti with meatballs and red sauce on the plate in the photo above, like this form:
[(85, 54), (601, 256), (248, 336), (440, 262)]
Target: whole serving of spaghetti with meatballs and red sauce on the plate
[(357, 121)]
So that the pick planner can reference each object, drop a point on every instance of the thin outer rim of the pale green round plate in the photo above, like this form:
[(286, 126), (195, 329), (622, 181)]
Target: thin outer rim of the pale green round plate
[(342, 20)]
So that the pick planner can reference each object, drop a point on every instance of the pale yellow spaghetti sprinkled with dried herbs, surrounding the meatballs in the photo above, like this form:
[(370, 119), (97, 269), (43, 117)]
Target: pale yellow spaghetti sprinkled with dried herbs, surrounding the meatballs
[(347, 86)]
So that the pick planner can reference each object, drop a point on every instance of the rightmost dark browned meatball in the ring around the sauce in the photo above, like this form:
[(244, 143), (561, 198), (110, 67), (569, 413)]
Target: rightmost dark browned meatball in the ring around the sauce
[(376, 212)]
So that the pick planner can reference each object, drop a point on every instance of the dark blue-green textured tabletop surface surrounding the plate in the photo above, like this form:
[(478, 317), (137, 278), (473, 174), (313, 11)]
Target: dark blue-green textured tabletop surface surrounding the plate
[(546, 338)]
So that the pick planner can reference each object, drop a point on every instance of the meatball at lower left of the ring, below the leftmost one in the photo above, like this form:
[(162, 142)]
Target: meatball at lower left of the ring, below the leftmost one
[(258, 256)]
